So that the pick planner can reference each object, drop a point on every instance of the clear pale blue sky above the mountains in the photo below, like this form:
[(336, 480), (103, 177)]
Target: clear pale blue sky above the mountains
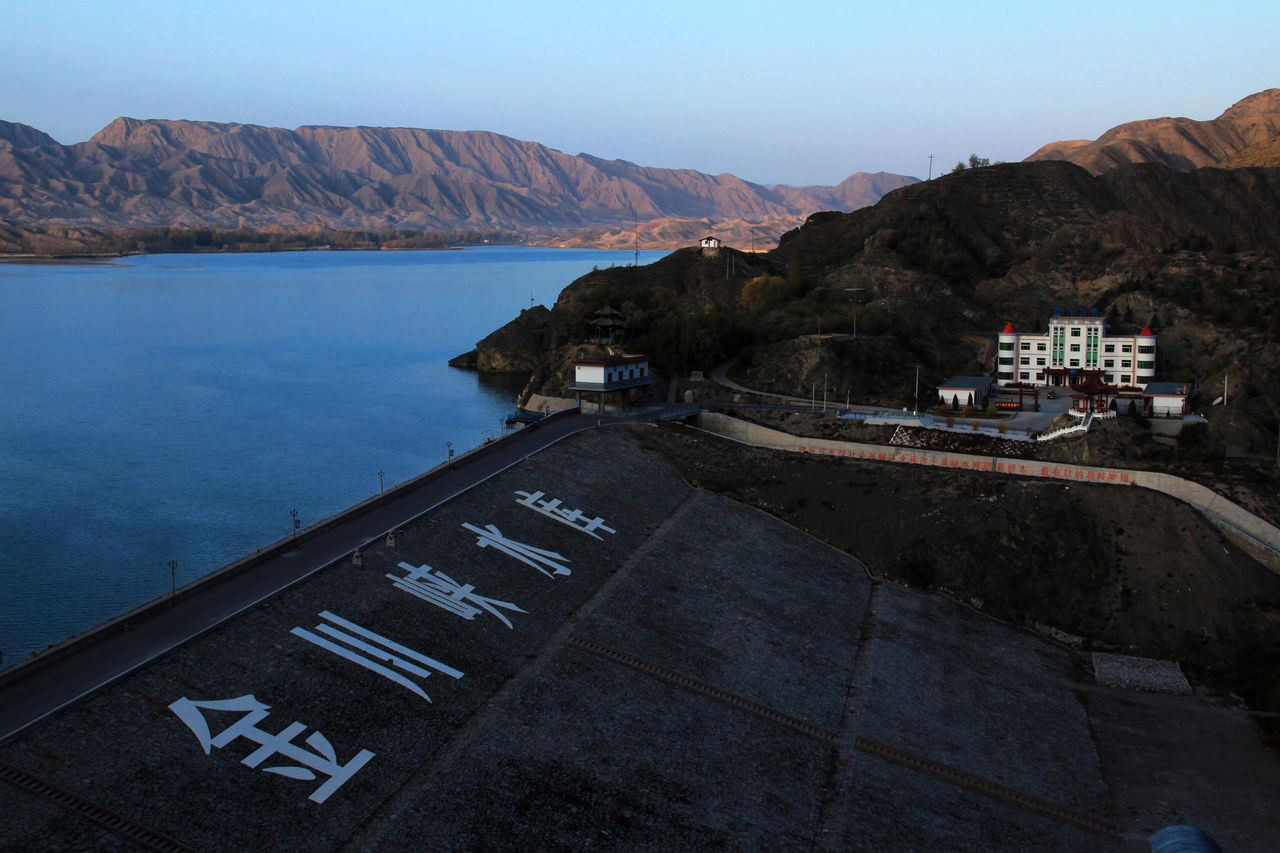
[(799, 93)]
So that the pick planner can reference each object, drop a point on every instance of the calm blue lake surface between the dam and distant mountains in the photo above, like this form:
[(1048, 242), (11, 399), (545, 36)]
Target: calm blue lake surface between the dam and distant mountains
[(177, 408)]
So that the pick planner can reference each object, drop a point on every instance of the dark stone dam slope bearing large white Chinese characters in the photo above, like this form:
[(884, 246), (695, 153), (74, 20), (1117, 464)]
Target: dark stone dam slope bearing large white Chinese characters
[(586, 650)]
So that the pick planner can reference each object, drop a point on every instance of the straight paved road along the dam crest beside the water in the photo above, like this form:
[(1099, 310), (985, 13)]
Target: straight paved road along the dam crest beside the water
[(44, 690)]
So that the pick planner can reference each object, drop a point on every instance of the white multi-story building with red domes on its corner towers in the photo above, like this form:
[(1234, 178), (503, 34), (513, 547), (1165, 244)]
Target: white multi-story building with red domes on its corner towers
[(1076, 346)]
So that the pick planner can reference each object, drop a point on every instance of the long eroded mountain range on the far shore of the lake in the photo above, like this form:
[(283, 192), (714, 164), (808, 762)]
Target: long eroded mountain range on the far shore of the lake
[(138, 174)]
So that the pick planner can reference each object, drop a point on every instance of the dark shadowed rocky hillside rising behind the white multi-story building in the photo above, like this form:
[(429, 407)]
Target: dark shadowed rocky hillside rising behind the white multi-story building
[(929, 276)]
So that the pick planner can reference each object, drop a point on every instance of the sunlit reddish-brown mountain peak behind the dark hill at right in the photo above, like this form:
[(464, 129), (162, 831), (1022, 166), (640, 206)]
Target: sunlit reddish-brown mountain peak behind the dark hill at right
[(1180, 144)]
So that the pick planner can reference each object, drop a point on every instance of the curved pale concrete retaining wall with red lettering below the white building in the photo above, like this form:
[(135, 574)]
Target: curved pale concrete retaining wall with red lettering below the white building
[(1236, 518)]
